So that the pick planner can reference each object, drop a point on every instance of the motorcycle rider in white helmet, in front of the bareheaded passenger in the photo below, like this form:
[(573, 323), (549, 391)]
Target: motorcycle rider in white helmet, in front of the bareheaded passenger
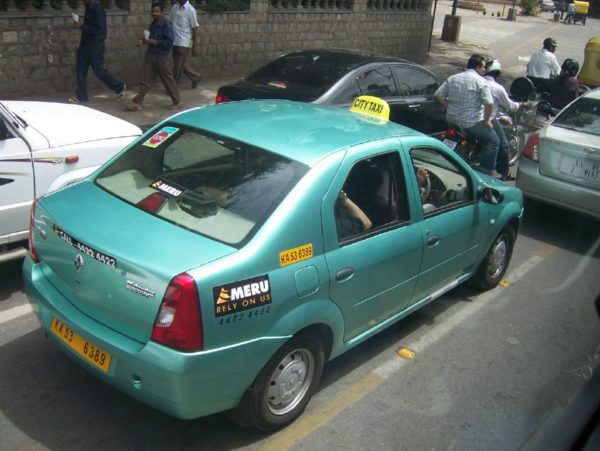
[(492, 70)]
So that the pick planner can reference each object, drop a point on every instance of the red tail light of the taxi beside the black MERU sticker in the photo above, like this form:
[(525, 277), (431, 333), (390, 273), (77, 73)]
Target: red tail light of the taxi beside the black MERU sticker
[(178, 324)]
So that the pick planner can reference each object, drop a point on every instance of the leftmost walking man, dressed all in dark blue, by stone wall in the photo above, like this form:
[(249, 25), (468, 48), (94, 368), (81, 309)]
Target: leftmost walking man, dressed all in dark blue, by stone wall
[(91, 52)]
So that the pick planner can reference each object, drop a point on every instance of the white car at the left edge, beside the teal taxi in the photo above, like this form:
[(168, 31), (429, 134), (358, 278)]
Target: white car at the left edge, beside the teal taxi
[(45, 146)]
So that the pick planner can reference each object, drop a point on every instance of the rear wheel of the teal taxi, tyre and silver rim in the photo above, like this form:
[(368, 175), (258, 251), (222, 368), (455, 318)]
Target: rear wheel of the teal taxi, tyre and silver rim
[(284, 386)]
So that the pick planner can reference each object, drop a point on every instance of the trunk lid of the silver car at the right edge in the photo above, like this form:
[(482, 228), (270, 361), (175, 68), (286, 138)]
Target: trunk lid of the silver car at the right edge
[(571, 156)]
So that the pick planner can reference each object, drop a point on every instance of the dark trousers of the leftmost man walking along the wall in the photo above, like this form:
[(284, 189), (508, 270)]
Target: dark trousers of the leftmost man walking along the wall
[(93, 55)]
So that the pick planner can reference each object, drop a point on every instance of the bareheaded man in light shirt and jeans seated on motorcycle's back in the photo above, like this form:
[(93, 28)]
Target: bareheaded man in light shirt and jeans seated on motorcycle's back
[(469, 103)]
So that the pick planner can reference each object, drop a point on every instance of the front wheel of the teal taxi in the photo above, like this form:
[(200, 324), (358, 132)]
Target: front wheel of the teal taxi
[(494, 265)]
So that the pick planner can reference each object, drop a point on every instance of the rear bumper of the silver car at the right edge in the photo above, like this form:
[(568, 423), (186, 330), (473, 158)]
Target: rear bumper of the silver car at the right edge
[(556, 192)]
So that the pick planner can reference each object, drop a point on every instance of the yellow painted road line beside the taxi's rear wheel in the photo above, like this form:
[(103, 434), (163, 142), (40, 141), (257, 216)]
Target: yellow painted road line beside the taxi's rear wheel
[(309, 423)]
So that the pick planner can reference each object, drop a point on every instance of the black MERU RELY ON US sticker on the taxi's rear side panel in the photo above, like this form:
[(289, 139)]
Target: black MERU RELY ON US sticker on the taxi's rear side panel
[(243, 295)]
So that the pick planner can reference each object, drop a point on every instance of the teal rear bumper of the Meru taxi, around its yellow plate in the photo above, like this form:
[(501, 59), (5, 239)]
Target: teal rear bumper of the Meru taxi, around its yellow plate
[(184, 385)]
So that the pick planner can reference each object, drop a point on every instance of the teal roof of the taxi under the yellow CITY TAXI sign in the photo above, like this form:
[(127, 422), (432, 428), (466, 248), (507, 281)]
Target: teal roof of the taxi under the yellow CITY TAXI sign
[(301, 131)]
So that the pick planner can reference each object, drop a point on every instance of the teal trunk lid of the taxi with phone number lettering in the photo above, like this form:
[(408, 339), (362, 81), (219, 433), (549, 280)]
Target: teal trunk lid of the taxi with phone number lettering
[(113, 261)]
